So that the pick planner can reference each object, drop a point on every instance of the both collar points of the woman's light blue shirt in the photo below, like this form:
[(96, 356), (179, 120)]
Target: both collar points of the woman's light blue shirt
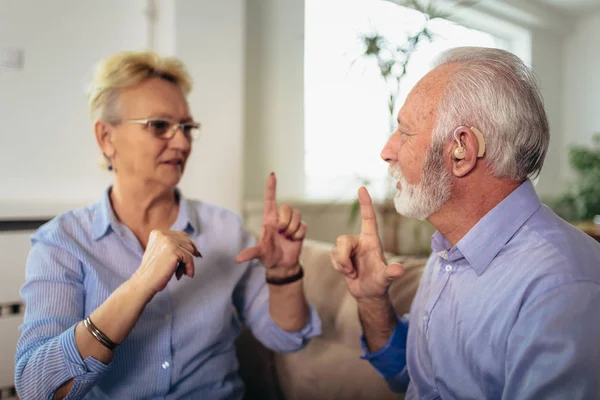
[(105, 219)]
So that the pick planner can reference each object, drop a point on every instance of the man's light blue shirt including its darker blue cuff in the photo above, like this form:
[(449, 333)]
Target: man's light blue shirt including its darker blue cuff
[(511, 312)]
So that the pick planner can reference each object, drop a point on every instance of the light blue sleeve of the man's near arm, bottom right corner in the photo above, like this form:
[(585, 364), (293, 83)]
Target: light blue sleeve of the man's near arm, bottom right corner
[(553, 350)]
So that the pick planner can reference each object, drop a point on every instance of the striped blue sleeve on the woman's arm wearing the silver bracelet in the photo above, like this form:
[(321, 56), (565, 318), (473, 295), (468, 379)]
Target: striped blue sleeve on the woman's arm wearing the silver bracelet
[(47, 355)]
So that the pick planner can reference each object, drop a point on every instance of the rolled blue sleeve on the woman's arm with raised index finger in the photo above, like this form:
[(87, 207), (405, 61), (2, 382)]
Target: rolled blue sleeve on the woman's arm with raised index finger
[(251, 299)]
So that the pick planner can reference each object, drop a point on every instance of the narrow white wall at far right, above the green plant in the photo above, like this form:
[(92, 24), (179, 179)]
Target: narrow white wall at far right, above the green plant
[(581, 84)]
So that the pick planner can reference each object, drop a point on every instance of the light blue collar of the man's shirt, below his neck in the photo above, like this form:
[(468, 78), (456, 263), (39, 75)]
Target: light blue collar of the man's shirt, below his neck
[(485, 240)]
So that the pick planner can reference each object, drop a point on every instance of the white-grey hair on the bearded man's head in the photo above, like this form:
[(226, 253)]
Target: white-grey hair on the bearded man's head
[(494, 91)]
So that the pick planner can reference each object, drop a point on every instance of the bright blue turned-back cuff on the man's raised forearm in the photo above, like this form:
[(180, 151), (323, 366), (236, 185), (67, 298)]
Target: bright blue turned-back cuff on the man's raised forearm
[(390, 360)]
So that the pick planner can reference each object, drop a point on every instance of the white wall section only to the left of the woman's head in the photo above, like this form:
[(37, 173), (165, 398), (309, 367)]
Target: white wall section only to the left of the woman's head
[(47, 149)]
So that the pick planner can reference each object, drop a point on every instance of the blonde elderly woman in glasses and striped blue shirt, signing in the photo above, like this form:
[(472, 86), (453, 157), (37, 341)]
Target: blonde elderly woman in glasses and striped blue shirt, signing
[(107, 315)]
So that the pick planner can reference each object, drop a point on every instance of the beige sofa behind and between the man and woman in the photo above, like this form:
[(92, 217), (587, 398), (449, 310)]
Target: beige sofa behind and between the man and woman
[(329, 367)]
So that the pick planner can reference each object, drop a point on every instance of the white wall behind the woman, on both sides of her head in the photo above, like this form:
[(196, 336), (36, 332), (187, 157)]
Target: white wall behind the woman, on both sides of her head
[(47, 150)]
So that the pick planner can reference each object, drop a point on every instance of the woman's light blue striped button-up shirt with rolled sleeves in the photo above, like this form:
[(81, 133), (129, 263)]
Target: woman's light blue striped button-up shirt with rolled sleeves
[(182, 347)]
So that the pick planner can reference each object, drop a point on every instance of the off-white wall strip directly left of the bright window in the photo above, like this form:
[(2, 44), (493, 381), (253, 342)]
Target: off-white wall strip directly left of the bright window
[(274, 97)]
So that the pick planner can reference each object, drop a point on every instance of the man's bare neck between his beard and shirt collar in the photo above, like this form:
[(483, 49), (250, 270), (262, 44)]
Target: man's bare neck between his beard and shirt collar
[(468, 205)]
